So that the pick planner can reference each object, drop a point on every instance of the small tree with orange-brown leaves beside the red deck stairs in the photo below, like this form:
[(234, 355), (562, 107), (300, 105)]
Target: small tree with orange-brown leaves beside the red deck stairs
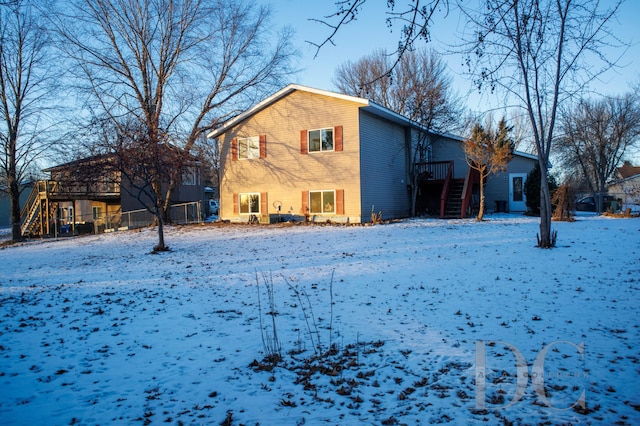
[(488, 152)]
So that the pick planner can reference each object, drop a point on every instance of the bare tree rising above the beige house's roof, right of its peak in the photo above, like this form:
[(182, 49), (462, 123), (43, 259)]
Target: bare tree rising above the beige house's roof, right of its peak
[(418, 87)]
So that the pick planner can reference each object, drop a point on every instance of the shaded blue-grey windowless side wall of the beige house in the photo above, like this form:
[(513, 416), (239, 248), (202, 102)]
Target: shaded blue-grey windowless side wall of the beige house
[(383, 164)]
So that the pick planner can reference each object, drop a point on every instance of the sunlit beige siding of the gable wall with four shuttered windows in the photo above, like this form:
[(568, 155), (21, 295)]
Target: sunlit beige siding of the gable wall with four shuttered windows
[(285, 172)]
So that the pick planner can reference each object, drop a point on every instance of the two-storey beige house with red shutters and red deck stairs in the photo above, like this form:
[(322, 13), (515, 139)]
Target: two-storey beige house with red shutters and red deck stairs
[(311, 154)]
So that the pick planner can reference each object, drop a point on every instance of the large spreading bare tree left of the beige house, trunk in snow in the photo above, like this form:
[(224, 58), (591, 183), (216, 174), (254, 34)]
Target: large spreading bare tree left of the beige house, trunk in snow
[(176, 67)]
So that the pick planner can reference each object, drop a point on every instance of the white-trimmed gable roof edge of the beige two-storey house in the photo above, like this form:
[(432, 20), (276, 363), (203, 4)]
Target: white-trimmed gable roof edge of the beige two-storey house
[(367, 105)]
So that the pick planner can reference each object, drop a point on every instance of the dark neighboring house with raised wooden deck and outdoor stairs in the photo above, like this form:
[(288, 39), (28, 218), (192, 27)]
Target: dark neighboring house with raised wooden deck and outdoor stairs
[(88, 195)]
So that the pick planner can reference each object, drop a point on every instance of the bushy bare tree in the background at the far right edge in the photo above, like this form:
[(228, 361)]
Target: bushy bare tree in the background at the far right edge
[(595, 136)]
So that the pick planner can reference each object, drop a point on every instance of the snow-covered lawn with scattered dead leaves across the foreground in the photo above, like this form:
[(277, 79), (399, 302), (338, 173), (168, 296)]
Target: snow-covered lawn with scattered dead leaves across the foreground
[(428, 321)]
